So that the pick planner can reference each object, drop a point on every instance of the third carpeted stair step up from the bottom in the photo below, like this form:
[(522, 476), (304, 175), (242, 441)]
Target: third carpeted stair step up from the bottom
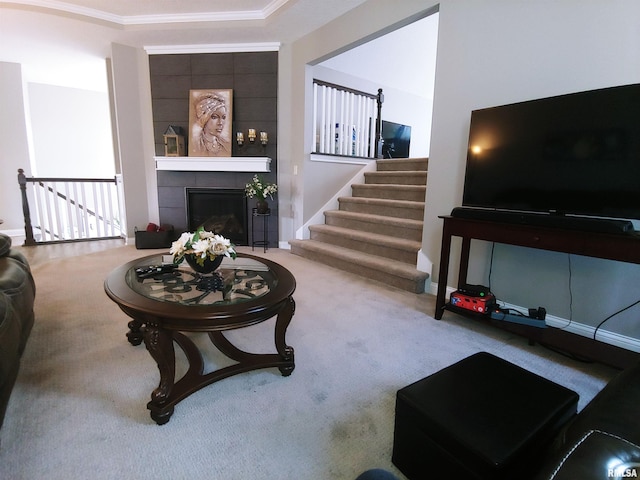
[(395, 227)]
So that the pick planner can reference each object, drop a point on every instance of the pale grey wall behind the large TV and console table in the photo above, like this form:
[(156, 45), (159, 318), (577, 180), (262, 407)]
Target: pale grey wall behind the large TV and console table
[(497, 52)]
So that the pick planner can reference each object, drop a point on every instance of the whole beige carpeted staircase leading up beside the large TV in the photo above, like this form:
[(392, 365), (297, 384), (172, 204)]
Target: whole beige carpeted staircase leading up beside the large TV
[(377, 232)]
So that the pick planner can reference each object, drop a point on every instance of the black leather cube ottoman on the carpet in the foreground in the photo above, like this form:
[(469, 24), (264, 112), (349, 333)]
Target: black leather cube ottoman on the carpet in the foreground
[(481, 418)]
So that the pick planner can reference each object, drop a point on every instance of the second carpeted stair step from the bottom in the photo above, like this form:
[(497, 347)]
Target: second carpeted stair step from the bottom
[(382, 246)]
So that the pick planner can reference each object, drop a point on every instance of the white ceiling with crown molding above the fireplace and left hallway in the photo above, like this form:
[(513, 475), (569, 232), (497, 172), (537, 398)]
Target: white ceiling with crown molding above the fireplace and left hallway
[(82, 46)]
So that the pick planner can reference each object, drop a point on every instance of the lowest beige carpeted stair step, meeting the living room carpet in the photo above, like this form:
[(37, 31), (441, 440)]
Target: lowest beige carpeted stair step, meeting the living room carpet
[(389, 272)]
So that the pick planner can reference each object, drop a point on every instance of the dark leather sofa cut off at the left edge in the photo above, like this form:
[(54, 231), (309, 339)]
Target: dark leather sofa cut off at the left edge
[(17, 295)]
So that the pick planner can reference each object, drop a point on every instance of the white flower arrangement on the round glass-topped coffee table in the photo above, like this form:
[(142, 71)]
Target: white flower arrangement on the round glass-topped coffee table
[(202, 245)]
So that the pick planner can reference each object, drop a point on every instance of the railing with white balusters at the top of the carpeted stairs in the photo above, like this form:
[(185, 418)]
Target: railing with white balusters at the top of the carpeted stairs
[(346, 122)]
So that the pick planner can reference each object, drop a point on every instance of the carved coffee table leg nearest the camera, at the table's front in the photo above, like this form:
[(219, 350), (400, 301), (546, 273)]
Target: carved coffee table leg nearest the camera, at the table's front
[(159, 343)]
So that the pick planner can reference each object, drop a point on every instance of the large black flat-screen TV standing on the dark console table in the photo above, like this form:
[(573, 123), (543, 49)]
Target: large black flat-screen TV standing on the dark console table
[(575, 154)]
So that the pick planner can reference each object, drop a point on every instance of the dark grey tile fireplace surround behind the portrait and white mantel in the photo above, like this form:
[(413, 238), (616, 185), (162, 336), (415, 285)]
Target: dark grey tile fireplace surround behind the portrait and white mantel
[(253, 78)]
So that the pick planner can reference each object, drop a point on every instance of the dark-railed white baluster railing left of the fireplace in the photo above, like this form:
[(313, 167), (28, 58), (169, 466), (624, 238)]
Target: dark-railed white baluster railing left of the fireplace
[(71, 209)]
